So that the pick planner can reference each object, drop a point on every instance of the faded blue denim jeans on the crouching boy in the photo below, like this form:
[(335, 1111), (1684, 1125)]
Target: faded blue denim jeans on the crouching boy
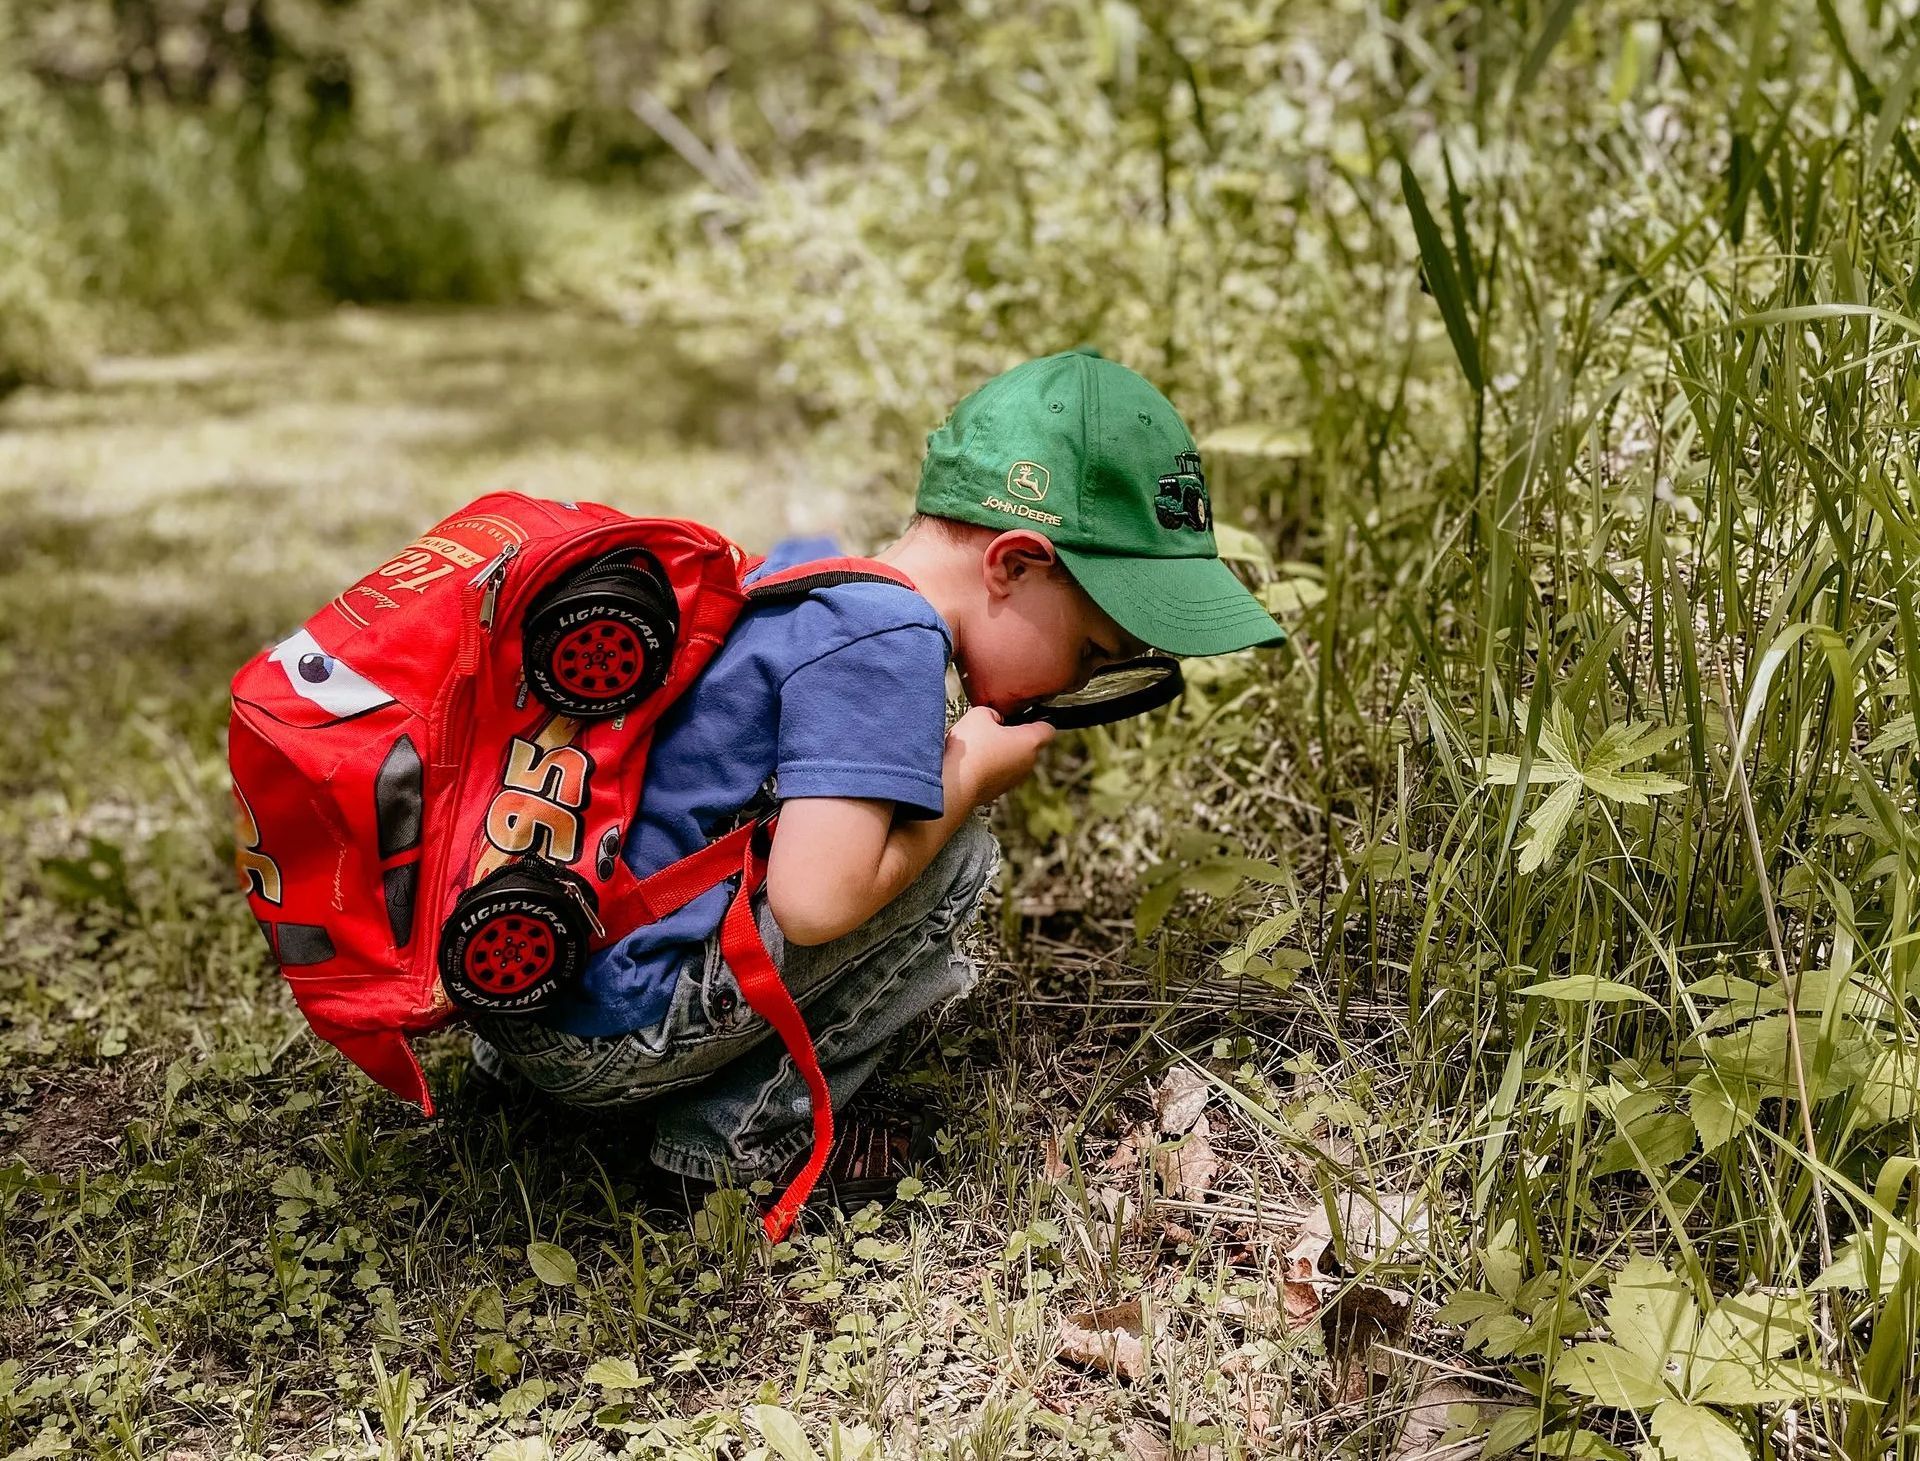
[(725, 1093)]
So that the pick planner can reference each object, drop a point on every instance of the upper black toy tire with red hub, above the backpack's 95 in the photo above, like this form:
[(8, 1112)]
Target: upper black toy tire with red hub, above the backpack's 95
[(600, 640)]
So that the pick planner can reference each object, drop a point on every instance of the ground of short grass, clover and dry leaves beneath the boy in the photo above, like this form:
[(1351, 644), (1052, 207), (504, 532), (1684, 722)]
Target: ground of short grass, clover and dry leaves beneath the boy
[(222, 1241)]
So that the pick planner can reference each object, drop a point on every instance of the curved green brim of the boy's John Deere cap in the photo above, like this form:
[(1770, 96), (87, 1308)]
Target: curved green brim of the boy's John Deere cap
[(1176, 606)]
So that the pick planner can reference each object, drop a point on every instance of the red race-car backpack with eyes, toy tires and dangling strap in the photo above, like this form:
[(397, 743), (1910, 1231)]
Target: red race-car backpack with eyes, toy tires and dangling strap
[(437, 773)]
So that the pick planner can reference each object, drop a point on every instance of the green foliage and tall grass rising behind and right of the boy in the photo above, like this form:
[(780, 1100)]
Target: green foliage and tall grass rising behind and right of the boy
[(1554, 364)]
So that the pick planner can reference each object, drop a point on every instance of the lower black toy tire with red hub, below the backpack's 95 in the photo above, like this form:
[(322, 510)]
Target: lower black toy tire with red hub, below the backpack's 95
[(516, 940)]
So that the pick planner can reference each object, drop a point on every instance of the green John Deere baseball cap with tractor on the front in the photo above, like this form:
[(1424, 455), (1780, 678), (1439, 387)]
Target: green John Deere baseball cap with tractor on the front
[(1092, 456)]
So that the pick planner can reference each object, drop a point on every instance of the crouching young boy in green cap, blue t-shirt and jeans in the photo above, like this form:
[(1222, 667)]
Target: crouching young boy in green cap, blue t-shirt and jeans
[(1063, 525)]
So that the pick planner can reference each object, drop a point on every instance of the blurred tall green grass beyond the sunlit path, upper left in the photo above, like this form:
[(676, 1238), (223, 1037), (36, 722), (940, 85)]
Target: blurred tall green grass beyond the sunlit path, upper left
[(156, 228)]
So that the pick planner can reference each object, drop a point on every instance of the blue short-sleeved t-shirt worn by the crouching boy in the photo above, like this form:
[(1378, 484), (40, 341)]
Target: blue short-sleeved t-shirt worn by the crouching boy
[(842, 694)]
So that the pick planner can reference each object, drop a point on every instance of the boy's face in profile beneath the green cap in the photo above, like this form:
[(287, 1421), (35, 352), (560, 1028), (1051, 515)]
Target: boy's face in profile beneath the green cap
[(1038, 633)]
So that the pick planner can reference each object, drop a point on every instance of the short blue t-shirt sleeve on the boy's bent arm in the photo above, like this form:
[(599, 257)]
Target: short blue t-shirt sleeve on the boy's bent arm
[(869, 719)]
